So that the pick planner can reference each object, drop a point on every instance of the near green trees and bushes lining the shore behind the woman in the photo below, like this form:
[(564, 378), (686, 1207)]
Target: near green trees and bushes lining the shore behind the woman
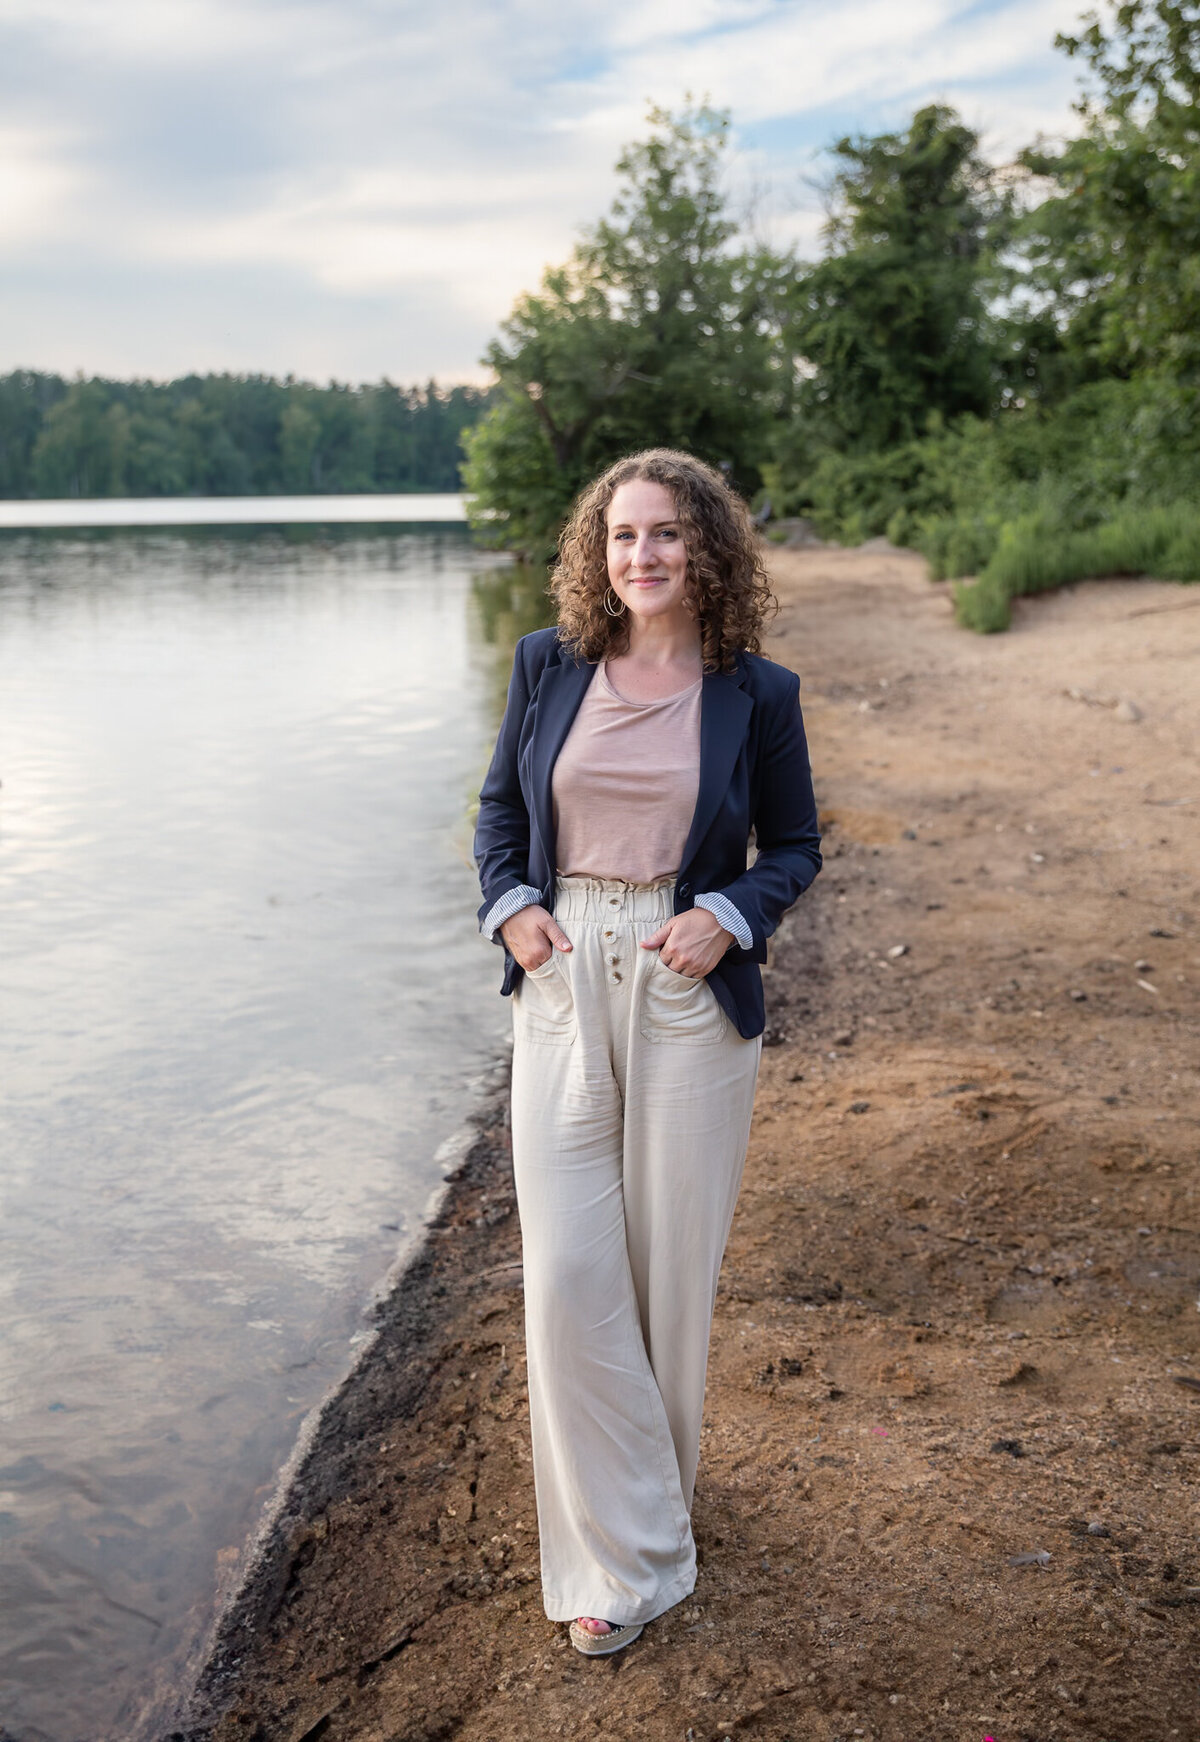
[(997, 365)]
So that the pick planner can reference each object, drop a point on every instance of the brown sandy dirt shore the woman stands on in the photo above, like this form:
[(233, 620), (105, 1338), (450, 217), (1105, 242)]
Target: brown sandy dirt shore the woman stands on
[(954, 1422)]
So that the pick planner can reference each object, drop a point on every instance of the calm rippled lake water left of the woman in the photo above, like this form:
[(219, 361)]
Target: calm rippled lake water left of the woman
[(243, 1001)]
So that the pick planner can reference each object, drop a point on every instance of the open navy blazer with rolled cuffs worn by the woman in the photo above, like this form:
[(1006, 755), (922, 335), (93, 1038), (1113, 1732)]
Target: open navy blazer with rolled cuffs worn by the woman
[(753, 776)]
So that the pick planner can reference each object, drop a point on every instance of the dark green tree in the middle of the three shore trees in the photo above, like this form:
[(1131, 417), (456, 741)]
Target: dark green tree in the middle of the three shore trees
[(893, 327)]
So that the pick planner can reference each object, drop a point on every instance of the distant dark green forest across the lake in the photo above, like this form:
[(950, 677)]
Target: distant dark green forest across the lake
[(229, 436)]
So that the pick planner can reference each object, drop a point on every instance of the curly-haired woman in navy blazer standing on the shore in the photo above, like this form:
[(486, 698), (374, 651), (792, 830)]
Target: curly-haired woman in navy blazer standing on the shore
[(642, 743)]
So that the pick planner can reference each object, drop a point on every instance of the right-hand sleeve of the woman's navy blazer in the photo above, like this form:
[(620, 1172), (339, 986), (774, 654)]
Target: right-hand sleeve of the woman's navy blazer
[(785, 827)]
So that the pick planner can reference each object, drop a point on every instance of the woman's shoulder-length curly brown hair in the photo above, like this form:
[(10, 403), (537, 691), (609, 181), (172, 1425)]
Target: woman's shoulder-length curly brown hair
[(727, 583)]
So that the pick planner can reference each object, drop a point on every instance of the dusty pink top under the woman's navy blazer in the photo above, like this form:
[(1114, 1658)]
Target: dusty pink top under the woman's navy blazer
[(626, 785)]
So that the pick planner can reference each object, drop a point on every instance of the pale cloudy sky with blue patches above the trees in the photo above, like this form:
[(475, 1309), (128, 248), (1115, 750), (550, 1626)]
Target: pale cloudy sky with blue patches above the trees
[(360, 189)]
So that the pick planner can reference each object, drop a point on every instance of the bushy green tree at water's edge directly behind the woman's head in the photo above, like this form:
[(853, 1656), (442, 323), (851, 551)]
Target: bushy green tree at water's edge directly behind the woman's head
[(657, 332)]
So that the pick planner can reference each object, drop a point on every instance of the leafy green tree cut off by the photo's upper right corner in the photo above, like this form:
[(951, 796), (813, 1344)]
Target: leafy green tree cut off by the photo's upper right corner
[(1116, 252)]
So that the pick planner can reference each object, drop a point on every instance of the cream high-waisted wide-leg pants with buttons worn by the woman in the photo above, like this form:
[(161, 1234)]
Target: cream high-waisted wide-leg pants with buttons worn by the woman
[(631, 1114)]
